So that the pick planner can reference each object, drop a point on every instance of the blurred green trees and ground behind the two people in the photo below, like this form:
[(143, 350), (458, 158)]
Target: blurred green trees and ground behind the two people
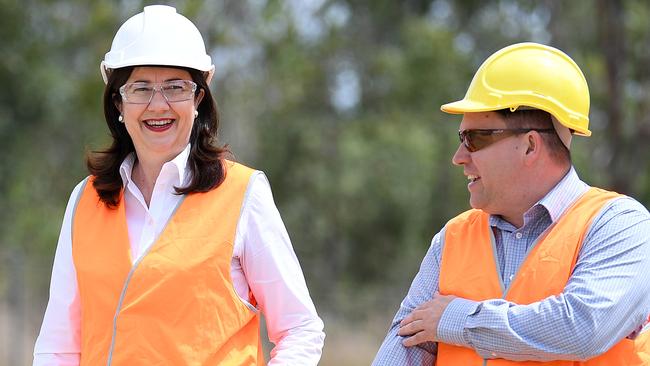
[(337, 101)]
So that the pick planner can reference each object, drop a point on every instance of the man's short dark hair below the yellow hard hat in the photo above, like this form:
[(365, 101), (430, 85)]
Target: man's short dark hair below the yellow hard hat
[(537, 118)]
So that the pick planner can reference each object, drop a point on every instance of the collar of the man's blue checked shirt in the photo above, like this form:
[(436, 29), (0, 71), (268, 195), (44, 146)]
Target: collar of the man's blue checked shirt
[(555, 202)]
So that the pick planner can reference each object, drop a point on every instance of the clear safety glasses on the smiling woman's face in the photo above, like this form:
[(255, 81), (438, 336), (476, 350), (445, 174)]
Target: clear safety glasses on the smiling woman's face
[(173, 91)]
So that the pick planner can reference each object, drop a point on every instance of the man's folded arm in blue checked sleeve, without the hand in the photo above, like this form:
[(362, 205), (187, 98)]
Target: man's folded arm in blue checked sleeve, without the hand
[(604, 301)]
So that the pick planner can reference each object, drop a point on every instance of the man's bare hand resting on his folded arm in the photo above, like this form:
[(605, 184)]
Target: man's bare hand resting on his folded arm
[(422, 323)]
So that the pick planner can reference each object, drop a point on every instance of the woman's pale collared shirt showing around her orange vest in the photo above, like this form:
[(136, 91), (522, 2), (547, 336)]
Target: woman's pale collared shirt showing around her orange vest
[(263, 261)]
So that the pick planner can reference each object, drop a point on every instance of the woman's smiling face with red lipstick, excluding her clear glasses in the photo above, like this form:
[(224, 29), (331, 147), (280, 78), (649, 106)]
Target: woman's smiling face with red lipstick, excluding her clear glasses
[(160, 130)]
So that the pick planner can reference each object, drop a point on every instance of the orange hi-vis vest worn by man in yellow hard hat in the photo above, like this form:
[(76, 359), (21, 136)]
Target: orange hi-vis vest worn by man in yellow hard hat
[(469, 271)]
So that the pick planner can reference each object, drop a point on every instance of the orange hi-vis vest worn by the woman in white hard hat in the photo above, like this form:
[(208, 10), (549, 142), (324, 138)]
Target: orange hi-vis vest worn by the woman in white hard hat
[(177, 304)]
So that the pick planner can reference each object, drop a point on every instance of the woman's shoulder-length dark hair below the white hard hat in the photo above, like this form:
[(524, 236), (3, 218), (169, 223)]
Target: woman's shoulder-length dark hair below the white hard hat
[(205, 160)]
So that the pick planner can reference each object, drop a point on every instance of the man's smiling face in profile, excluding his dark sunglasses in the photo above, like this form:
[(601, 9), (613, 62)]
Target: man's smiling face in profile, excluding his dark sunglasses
[(495, 172)]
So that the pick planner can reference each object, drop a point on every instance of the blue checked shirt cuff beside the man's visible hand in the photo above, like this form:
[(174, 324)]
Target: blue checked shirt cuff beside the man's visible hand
[(452, 322)]
